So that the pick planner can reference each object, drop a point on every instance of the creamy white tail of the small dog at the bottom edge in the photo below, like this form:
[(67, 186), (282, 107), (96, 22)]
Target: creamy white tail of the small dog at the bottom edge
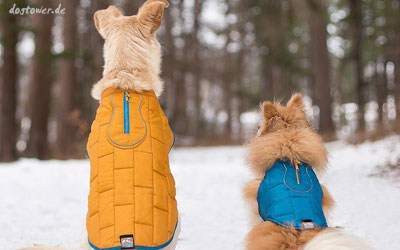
[(335, 239)]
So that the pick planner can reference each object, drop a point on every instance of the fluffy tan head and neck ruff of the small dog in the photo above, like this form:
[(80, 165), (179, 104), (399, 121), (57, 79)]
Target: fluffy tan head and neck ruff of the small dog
[(285, 134)]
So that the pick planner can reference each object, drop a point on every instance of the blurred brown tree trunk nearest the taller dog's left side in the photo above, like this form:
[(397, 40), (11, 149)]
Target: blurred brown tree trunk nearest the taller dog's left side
[(67, 119)]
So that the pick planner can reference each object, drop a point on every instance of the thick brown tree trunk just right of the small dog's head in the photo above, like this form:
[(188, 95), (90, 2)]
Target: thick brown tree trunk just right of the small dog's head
[(321, 68)]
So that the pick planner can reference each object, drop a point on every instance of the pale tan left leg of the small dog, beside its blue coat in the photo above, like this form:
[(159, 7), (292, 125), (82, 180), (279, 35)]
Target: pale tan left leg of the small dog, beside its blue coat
[(250, 195)]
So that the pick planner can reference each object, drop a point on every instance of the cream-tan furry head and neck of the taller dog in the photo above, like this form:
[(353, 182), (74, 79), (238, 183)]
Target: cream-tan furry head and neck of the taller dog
[(132, 53)]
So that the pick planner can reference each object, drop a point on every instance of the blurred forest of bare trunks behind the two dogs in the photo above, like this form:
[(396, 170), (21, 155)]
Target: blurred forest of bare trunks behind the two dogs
[(220, 60)]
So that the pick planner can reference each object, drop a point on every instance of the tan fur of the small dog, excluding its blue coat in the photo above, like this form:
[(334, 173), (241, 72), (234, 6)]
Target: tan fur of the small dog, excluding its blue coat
[(286, 134)]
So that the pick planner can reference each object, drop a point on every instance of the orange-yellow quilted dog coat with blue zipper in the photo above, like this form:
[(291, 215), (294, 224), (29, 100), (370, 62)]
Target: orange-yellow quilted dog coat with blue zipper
[(132, 192)]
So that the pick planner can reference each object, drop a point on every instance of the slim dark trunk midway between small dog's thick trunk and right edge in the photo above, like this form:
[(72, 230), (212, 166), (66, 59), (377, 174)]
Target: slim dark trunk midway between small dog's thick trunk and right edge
[(356, 22)]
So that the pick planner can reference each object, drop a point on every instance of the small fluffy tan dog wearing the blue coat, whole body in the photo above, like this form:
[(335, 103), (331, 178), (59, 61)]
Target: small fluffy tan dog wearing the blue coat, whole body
[(288, 204)]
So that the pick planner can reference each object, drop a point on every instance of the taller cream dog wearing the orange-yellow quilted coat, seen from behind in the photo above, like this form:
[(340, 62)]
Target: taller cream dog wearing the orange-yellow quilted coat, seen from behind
[(132, 192)]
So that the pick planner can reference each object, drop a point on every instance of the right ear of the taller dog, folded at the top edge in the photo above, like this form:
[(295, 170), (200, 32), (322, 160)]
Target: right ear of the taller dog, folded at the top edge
[(150, 15)]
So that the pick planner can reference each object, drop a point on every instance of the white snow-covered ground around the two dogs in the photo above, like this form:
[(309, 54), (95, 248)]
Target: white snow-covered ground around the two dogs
[(44, 202)]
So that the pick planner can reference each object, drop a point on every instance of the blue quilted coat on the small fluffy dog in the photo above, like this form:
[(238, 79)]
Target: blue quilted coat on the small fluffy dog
[(285, 202)]
